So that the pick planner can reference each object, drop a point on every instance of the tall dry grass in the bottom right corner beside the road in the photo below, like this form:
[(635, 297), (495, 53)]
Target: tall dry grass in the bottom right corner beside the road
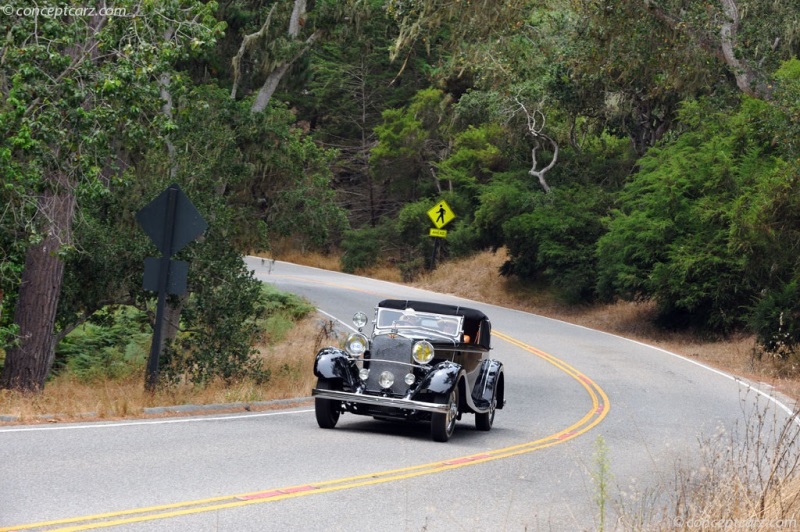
[(747, 478)]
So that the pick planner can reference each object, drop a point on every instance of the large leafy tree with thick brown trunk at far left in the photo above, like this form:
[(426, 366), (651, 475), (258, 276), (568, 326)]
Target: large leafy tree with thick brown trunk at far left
[(68, 83)]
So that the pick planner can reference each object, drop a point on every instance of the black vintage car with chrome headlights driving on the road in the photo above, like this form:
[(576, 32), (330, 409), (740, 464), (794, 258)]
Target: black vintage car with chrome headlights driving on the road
[(424, 362)]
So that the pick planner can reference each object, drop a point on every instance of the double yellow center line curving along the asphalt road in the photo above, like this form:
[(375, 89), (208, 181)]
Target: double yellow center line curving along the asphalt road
[(598, 411)]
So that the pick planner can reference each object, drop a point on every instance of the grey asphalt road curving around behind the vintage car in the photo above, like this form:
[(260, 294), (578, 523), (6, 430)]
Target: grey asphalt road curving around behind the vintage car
[(569, 390)]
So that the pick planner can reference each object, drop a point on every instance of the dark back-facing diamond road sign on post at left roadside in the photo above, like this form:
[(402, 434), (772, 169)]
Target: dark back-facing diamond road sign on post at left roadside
[(171, 222)]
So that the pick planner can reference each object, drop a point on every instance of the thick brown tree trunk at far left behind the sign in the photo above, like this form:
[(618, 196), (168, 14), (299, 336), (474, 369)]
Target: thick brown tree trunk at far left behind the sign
[(28, 363)]
